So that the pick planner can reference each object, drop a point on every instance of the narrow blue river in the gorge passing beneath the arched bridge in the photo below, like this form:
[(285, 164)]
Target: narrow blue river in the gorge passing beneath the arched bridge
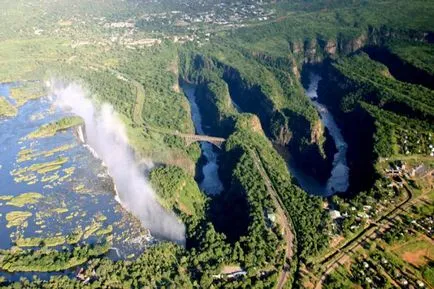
[(211, 183)]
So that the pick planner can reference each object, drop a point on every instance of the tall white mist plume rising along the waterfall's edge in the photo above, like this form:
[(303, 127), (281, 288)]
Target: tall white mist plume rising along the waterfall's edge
[(106, 137)]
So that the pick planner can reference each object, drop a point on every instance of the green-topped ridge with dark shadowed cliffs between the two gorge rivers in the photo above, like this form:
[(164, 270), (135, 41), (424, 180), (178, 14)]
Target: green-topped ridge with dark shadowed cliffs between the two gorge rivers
[(228, 85)]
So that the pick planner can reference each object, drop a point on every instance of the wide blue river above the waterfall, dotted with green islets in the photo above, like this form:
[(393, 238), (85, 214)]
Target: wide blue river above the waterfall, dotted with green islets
[(87, 193)]
